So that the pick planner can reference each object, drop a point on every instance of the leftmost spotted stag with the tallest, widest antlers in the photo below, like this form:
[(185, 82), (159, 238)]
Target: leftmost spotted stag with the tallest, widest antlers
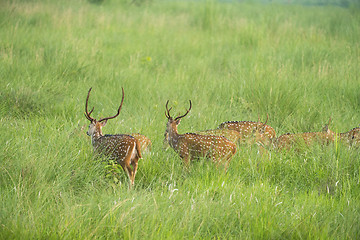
[(123, 148)]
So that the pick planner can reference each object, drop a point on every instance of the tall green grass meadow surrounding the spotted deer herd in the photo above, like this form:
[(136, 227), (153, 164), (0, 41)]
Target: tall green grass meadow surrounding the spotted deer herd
[(235, 61)]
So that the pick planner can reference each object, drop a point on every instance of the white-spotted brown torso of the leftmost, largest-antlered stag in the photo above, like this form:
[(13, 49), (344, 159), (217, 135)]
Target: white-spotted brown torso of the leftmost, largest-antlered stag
[(118, 146)]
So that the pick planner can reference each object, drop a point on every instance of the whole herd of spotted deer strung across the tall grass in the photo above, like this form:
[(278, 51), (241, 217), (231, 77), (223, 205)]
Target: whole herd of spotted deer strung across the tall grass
[(218, 145)]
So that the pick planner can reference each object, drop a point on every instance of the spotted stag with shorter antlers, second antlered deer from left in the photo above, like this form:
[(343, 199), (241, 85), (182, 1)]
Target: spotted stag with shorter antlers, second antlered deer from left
[(192, 146)]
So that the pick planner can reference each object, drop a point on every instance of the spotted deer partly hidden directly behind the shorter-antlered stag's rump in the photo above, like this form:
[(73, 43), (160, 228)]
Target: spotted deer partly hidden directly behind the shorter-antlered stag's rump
[(251, 131)]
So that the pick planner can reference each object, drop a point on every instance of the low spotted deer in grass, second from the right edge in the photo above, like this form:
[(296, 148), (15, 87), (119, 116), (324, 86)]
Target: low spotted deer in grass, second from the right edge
[(290, 140)]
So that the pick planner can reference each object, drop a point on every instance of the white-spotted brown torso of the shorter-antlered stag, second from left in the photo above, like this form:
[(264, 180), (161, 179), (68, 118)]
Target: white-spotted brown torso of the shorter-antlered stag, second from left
[(211, 147)]
